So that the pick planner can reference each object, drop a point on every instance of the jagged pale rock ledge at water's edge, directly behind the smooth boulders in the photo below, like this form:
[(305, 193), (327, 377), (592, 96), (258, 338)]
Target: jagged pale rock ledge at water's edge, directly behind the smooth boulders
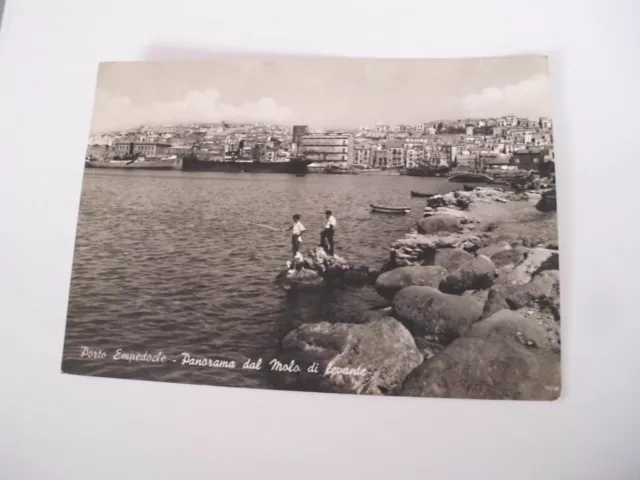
[(418, 249)]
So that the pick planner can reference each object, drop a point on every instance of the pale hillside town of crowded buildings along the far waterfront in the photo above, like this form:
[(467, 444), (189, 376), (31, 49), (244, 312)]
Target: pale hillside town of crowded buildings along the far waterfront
[(503, 143)]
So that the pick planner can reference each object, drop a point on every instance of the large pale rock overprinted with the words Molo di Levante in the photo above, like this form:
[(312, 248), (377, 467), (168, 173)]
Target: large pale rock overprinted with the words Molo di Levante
[(371, 358)]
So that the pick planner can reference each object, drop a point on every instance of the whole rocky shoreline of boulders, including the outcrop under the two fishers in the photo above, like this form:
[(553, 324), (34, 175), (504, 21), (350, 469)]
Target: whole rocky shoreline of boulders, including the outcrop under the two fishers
[(473, 307)]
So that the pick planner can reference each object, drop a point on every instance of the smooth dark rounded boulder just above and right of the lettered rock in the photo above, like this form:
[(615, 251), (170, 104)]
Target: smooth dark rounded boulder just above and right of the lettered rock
[(428, 312)]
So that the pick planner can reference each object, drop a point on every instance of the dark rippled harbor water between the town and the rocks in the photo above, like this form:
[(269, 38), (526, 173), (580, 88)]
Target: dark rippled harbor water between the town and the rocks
[(166, 261)]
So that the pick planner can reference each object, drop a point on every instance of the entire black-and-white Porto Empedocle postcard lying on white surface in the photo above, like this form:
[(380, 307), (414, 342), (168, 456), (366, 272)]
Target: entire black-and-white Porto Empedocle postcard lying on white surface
[(355, 226)]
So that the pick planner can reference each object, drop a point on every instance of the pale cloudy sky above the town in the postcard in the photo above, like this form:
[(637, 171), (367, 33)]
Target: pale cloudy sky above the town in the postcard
[(321, 93)]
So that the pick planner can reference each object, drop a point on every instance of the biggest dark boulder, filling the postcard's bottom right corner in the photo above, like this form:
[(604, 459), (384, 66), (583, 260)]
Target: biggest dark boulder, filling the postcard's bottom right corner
[(501, 357)]
